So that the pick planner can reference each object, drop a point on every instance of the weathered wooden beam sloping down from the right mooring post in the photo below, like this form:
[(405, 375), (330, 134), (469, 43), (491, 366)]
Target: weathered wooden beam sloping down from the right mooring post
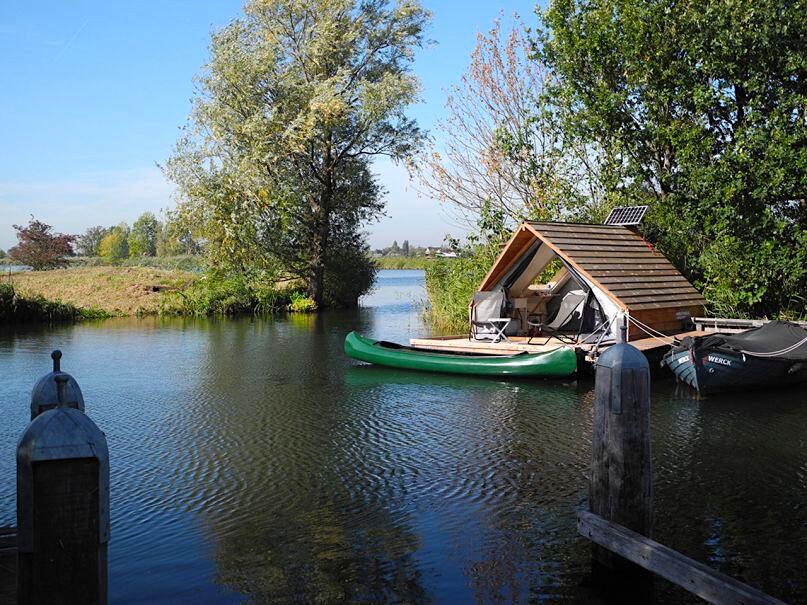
[(699, 579)]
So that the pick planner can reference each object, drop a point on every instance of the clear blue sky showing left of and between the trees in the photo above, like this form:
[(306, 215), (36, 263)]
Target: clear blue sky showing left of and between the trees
[(94, 92)]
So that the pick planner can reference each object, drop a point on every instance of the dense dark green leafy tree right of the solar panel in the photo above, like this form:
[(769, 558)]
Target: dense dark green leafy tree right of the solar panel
[(697, 109)]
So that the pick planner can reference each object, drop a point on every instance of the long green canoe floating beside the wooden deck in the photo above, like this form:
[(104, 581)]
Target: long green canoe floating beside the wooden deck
[(556, 363)]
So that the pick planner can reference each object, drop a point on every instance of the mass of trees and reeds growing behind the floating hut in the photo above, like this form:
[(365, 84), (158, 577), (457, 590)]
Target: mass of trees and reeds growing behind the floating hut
[(697, 112)]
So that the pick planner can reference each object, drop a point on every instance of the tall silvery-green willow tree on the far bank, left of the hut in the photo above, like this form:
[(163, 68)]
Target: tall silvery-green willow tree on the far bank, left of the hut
[(274, 166)]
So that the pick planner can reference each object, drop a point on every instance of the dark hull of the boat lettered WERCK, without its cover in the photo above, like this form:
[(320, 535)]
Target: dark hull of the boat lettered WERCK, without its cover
[(717, 371)]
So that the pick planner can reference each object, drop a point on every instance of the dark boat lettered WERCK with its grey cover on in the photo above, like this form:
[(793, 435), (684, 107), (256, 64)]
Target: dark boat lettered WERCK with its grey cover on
[(773, 355)]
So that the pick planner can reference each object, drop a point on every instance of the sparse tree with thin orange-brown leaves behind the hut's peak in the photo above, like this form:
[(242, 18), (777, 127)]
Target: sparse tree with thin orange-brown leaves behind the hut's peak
[(502, 150)]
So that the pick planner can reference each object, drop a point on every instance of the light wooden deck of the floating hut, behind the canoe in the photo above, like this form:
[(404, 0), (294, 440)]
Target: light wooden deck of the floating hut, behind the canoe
[(517, 344)]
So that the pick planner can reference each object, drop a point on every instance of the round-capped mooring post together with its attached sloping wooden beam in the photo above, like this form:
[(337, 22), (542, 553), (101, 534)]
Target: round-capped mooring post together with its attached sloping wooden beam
[(620, 519)]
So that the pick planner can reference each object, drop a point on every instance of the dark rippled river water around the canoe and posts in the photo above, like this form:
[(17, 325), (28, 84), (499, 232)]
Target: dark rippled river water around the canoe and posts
[(252, 462)]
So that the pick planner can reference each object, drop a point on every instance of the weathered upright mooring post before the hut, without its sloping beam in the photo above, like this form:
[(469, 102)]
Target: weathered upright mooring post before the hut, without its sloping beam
[(620, 485)]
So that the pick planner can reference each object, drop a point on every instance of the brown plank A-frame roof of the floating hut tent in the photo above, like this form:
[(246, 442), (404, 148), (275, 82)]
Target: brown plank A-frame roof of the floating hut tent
[(614, 258)]
